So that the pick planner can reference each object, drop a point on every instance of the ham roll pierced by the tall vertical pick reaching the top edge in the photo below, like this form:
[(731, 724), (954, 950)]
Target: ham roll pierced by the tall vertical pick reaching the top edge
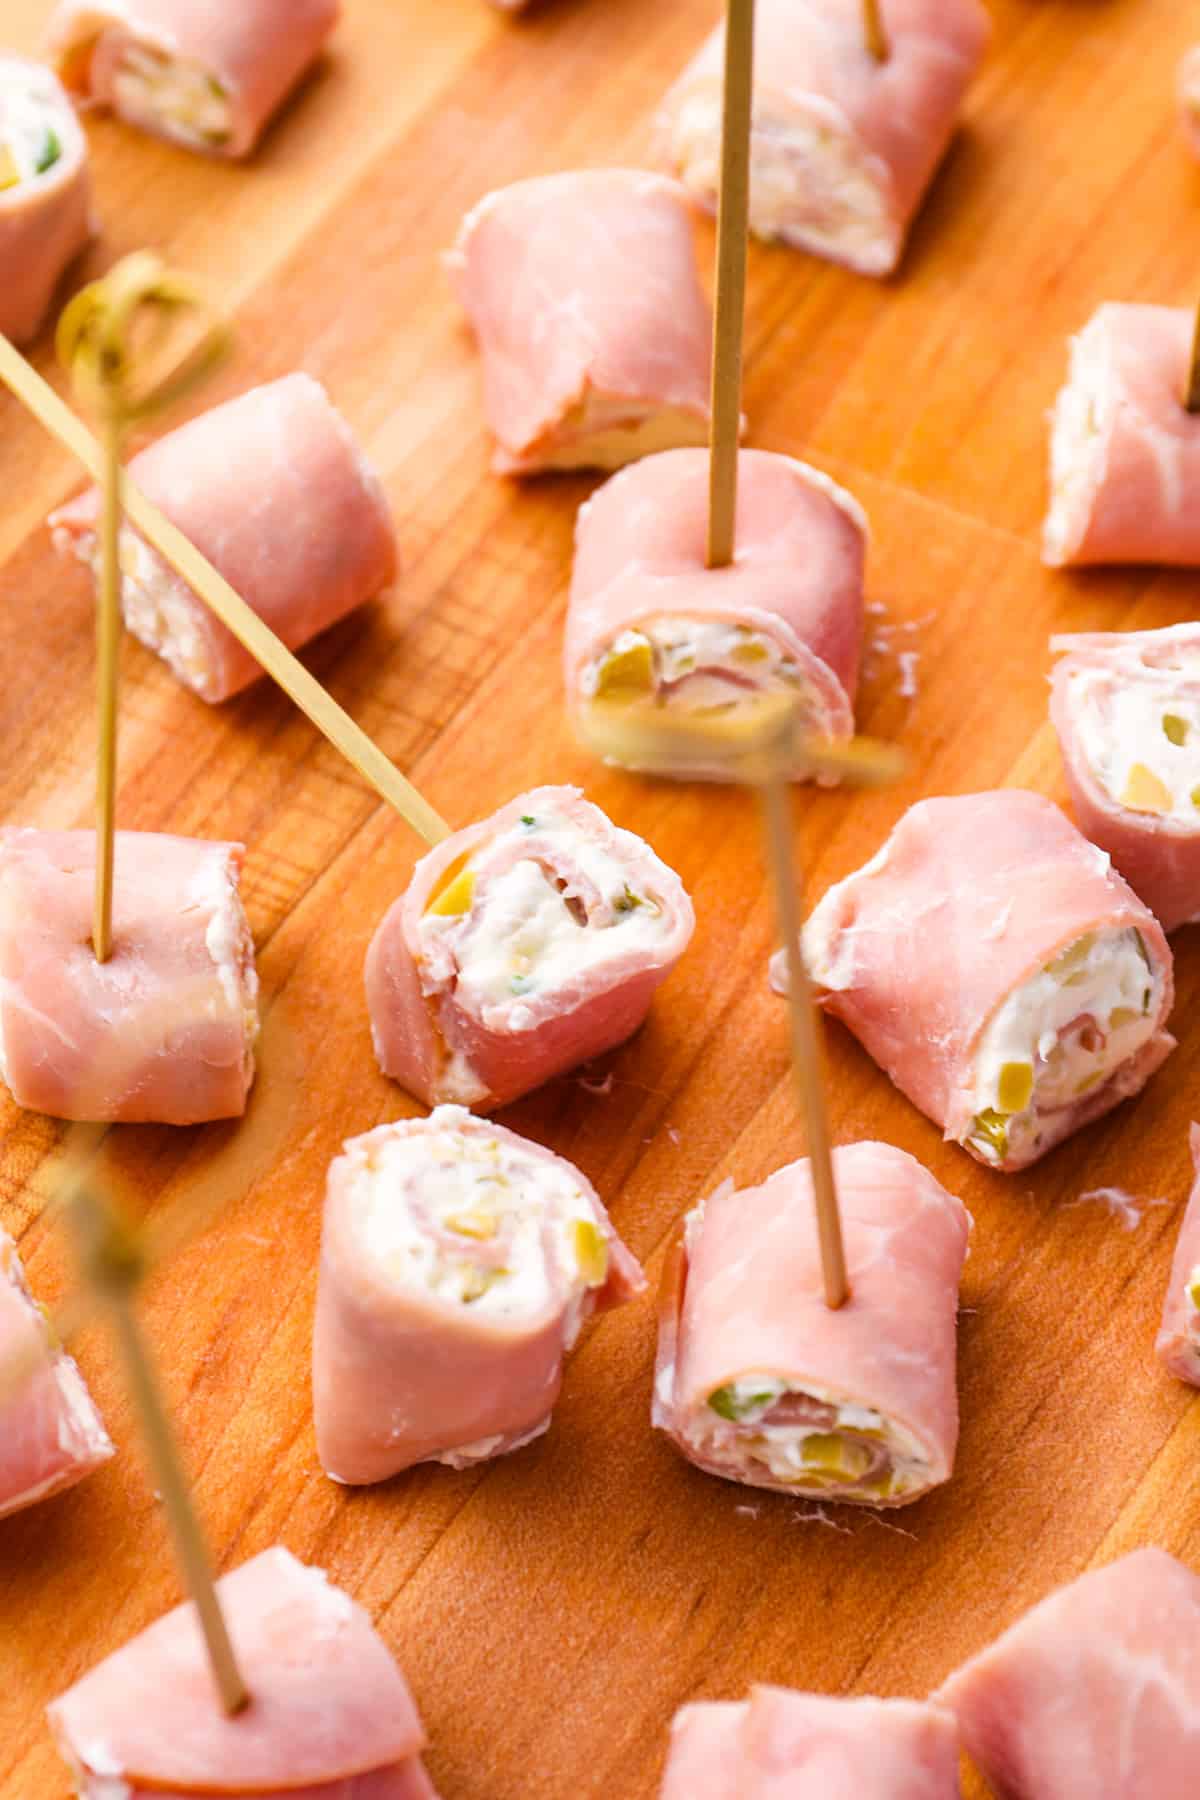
[(652, 627)]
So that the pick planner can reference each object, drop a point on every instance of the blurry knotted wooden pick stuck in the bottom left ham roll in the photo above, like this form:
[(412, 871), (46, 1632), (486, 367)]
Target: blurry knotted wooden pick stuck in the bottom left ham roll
[(112, 1268)]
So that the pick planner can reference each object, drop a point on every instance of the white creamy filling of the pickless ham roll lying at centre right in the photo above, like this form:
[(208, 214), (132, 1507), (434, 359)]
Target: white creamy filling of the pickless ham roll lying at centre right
[(1062, 1036)]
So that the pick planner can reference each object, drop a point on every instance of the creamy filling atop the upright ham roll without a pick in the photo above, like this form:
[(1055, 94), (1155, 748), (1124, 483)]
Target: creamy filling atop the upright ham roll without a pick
[(478, 1221)]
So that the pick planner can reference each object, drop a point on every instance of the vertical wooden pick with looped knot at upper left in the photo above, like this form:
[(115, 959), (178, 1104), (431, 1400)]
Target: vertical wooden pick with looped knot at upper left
[(105, 341)]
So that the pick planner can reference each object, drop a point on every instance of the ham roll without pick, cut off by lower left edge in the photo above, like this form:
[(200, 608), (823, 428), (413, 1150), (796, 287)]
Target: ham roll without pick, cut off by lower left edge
[(51, 1434)]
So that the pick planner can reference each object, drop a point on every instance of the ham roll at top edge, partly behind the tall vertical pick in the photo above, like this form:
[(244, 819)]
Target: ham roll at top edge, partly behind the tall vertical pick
[(843, 147)]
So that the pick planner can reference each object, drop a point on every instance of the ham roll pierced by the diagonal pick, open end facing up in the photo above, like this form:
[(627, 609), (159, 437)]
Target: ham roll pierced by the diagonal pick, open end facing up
[(523, 946)]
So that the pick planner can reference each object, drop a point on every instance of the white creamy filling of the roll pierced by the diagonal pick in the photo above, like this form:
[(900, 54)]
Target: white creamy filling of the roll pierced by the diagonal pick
[(532, 933)]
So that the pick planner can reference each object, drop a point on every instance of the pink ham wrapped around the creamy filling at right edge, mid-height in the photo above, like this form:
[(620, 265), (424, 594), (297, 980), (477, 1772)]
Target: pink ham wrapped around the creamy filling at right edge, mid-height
[(1160, 856)]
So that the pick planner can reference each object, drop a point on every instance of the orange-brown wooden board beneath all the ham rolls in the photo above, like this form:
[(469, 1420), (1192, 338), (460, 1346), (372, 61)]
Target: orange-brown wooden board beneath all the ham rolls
[(555, 1608)]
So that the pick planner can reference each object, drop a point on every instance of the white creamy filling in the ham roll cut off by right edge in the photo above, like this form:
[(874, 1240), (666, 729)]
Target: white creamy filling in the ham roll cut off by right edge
[(1142, 737)]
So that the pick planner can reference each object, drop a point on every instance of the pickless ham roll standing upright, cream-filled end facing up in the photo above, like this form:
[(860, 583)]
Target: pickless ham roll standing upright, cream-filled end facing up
[(458, 1266)]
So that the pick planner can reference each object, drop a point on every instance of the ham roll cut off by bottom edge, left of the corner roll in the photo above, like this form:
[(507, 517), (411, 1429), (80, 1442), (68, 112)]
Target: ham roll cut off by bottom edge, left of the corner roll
[(782, 1745)]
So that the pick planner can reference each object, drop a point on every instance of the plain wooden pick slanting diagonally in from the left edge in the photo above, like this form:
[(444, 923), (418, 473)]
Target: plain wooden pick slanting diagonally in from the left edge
[(361, 751)]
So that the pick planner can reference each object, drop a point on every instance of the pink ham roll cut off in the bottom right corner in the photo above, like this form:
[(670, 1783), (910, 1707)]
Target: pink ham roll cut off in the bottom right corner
[(1095, 1693)]
